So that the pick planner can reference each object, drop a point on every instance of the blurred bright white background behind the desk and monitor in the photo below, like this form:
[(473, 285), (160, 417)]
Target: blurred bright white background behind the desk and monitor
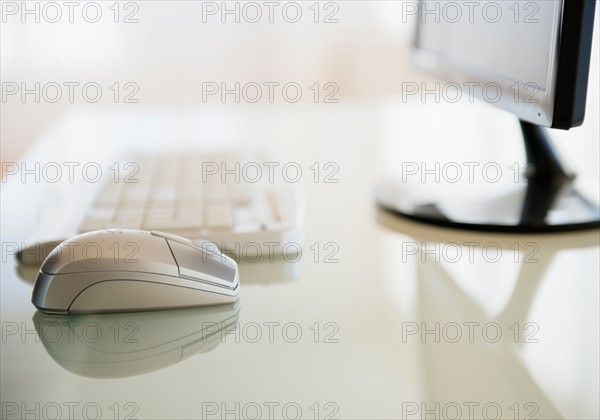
[(168, 49)]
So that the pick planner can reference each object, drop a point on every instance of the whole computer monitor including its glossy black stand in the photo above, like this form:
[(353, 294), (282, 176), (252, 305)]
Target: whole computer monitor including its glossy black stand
[(531, 59)]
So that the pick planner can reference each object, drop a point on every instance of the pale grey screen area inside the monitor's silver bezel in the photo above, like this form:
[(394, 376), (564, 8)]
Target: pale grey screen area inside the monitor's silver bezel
[(509, 46)]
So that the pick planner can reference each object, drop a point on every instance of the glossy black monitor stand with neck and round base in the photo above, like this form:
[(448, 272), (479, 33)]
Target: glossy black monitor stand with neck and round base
[(551, 200)]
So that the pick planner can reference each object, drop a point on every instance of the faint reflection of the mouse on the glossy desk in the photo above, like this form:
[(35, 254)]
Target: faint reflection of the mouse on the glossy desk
[(129, 344)]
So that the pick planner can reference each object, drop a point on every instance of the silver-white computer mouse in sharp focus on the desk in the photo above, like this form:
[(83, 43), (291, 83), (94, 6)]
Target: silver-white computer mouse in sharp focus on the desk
[(119, 270)]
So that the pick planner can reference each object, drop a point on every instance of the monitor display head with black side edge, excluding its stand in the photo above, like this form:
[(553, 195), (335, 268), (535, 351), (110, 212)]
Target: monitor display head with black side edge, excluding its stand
[(514, 55)]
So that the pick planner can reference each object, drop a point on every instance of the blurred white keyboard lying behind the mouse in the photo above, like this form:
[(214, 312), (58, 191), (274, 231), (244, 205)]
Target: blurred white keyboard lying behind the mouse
[(168, 193)]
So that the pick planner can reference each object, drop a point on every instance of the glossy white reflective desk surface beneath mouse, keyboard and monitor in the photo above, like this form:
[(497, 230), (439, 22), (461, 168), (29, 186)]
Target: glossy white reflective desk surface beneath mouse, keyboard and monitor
[(341, 338)]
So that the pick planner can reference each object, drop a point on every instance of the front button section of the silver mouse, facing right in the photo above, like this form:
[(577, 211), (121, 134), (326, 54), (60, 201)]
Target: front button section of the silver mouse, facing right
[(207, 266)]
